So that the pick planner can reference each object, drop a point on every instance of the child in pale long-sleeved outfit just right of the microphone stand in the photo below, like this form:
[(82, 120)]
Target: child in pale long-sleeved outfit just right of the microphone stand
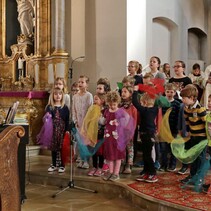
[(81, 103)]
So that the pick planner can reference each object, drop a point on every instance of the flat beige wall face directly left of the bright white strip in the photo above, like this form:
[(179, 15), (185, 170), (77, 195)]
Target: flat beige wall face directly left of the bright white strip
[(111, 39)]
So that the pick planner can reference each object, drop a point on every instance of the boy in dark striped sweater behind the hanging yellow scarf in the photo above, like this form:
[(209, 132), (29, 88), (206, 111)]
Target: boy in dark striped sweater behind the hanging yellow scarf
[(165, 148)]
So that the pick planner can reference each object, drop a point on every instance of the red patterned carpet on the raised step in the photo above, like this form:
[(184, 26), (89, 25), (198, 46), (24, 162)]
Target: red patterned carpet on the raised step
[(168, 188)]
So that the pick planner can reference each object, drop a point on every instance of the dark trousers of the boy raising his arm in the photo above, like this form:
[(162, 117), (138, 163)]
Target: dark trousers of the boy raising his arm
[(147, 144)]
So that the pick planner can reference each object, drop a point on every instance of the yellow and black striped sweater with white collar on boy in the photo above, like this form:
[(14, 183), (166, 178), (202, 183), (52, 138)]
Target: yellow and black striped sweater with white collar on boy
[(195, 118)]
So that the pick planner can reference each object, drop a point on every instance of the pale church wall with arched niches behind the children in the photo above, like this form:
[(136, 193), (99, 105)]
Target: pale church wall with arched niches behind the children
[(162, 30)]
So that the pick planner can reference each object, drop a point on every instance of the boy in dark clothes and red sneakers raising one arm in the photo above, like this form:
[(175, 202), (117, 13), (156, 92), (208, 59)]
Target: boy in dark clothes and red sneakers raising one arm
[(148, 113)]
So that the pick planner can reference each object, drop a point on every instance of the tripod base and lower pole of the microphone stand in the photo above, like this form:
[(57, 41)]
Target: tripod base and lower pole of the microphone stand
[(71, 182)]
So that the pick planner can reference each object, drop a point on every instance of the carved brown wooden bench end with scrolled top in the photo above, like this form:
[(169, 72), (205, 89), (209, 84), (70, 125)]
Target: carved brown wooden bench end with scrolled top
[(9, 176)]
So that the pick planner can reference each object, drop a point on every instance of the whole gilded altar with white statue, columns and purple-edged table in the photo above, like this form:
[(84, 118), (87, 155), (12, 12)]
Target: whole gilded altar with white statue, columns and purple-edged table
[(32, 56)]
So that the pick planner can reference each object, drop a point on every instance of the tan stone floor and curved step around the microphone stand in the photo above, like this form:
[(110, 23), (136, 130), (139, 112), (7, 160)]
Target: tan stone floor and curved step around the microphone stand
[(41, 186)]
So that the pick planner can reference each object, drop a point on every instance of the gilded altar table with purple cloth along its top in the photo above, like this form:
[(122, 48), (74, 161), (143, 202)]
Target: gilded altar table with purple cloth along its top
[(31, 106)]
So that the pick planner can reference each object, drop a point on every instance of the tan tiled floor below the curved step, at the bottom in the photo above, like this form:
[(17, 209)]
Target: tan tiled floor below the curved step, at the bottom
[(40, 198)]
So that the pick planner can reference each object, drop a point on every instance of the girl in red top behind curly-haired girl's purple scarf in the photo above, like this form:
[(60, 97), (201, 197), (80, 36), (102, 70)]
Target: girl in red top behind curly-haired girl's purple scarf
[(126, 104)]
